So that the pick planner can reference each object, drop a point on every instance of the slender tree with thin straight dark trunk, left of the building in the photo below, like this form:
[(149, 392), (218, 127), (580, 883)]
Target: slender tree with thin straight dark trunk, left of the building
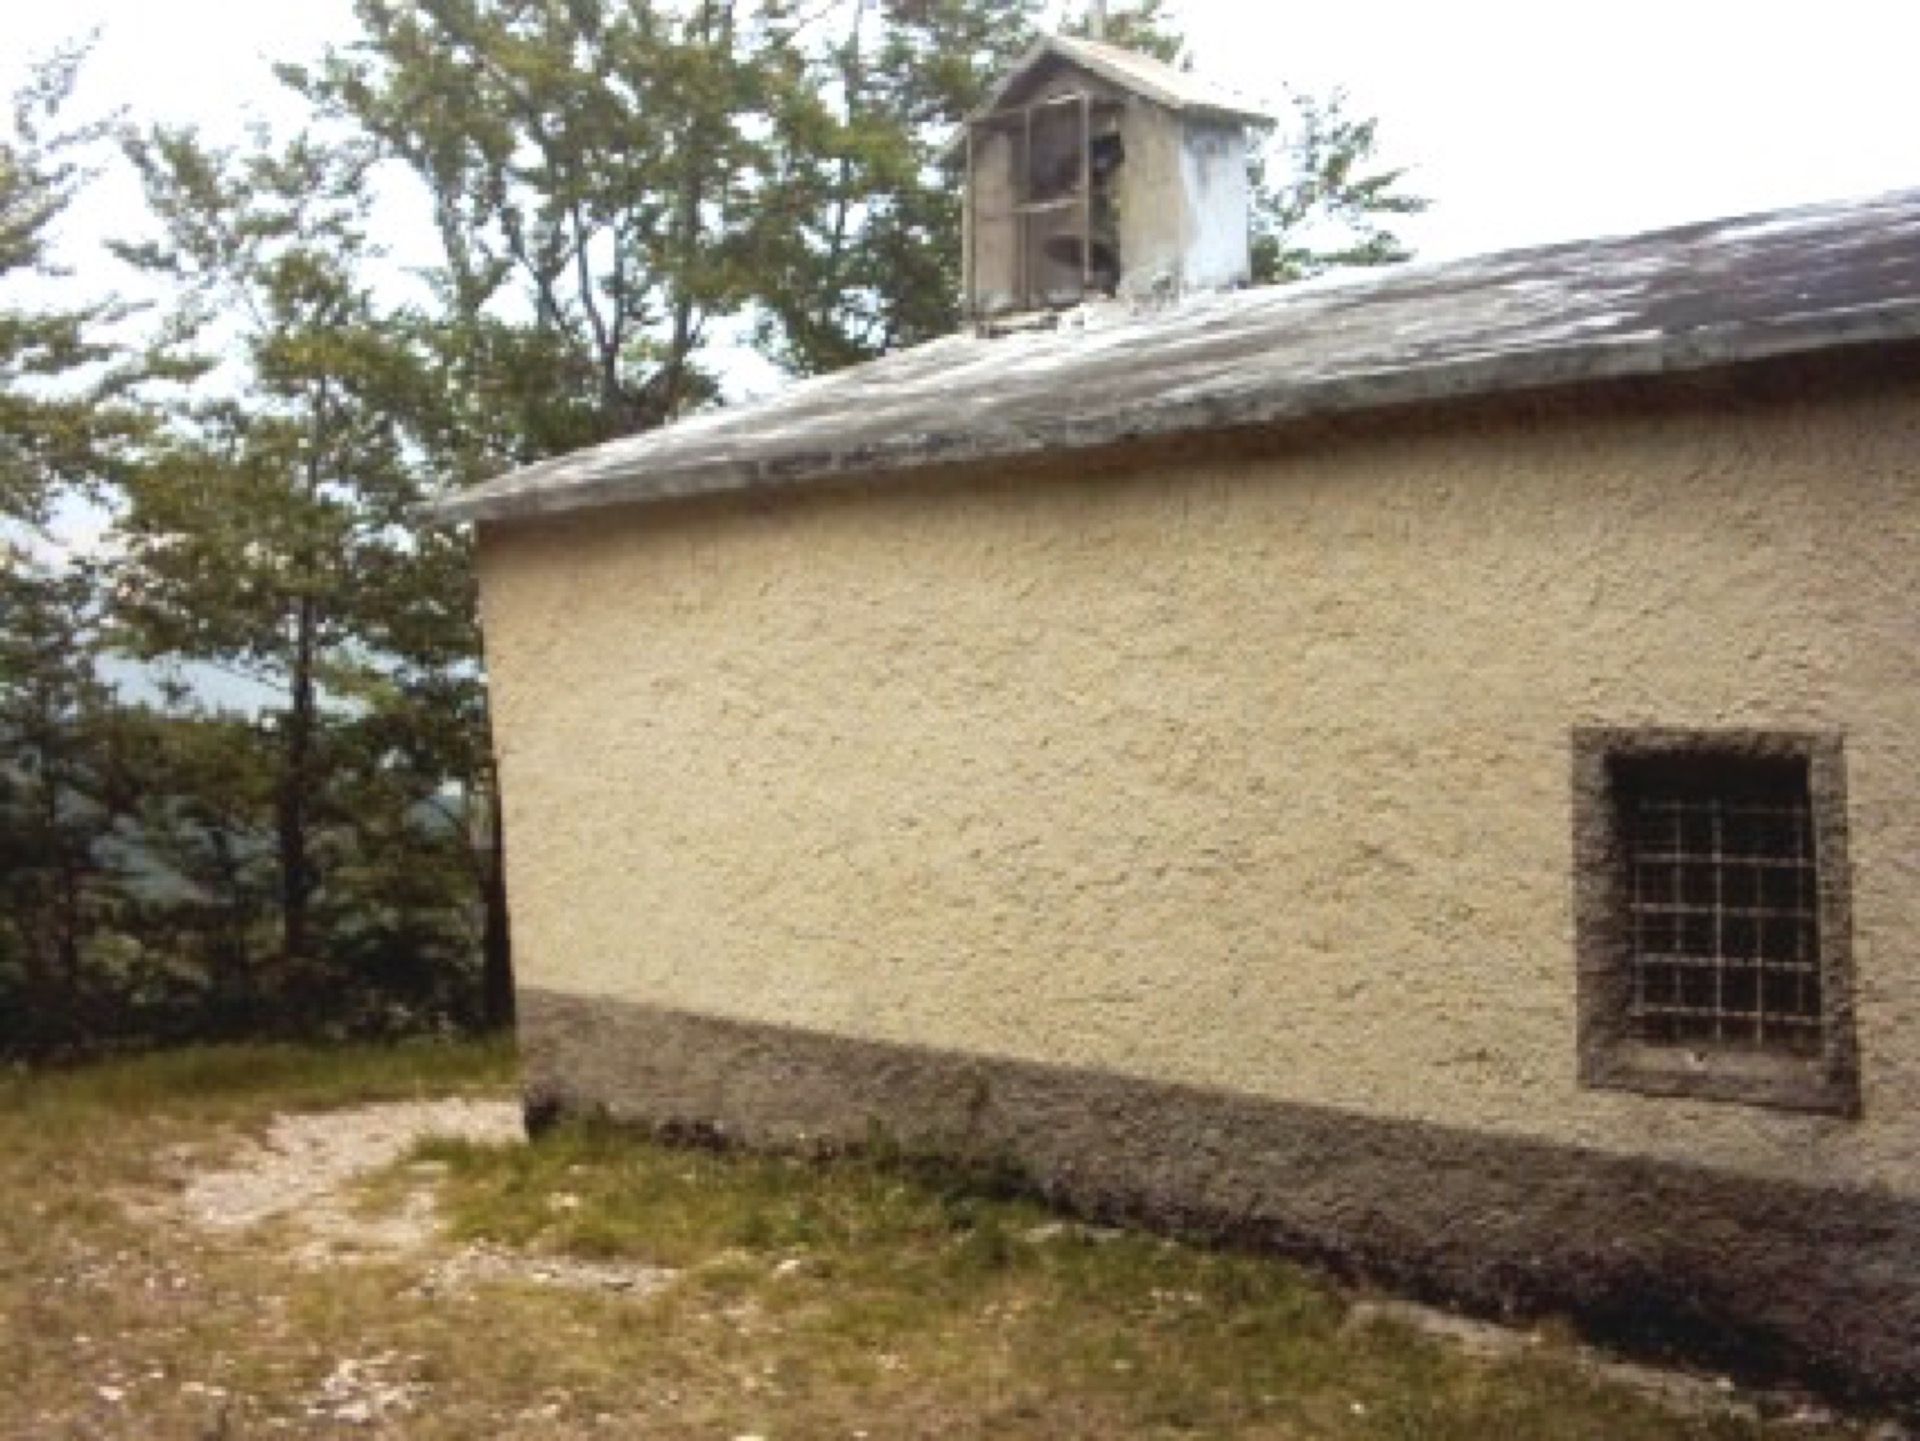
[(264, 532)]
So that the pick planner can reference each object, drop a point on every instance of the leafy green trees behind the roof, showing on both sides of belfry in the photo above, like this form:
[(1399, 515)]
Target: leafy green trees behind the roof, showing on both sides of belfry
[(613, 179)]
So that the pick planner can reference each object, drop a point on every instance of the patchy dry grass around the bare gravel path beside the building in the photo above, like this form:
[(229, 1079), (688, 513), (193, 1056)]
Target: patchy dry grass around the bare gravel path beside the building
[(859, 1298)]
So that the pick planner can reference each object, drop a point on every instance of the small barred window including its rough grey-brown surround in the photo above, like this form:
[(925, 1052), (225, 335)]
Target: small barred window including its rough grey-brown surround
[(1714, 916)]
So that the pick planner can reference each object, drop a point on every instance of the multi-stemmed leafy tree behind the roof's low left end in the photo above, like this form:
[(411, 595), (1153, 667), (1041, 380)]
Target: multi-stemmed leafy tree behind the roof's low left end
[(596, 183)]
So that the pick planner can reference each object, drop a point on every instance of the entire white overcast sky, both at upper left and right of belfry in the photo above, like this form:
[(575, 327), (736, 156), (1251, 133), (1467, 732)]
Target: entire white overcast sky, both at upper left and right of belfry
[(1524, 120)]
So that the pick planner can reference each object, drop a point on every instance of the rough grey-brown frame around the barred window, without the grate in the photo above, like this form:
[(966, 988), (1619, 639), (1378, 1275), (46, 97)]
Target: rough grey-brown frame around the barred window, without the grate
[(1612, 1056)]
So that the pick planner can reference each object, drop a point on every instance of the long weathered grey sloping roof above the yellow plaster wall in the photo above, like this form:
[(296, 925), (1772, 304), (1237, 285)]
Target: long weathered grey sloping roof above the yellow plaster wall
[(1700, 296)]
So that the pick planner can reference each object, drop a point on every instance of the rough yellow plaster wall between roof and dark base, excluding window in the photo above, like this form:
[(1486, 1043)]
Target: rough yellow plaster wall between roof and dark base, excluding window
[(1249, 772)]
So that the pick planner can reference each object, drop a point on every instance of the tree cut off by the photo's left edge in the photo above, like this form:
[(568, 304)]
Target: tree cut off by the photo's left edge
[(62, 429)]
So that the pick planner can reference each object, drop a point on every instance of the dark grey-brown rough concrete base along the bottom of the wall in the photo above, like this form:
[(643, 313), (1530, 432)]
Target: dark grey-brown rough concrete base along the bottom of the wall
[(1769, 1279)]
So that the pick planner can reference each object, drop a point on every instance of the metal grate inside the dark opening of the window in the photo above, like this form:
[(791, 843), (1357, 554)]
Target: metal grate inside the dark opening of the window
[(1725, 907)]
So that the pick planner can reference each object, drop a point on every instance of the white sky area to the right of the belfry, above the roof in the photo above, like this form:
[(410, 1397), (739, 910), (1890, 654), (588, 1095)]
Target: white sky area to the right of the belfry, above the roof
[(1533, 122)]
